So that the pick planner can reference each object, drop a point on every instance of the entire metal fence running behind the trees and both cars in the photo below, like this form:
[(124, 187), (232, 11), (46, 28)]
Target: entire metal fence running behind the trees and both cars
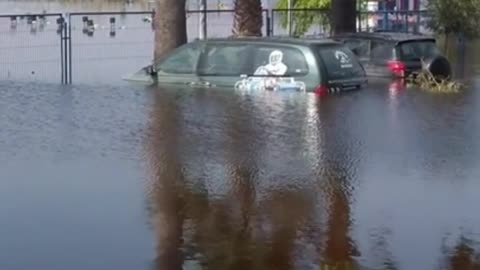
[(105, 46)]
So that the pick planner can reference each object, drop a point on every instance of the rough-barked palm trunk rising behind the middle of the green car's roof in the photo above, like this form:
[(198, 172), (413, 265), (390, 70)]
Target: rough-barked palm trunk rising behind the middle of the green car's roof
[(248, 18)]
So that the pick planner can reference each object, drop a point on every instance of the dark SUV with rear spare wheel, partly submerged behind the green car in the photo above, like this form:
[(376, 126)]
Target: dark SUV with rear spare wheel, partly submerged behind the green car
[(395, 54)]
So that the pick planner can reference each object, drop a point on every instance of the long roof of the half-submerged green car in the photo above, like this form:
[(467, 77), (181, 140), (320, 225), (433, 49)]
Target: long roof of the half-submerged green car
[(276, 40)]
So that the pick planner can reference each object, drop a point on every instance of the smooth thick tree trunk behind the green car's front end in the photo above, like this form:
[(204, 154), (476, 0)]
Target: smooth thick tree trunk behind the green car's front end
[(170, 26)]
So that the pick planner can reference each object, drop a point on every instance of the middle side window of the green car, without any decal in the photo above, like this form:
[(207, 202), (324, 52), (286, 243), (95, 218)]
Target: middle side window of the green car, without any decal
[(224, 59)]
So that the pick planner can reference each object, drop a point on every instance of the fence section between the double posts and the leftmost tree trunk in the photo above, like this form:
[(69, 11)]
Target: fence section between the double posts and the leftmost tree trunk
[(105, 46)]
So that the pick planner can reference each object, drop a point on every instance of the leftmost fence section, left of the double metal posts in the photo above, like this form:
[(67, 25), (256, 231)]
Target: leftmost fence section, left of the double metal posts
[(31, 47)]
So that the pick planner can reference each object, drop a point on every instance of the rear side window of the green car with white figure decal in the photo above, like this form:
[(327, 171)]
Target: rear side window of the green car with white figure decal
[(279, 60)]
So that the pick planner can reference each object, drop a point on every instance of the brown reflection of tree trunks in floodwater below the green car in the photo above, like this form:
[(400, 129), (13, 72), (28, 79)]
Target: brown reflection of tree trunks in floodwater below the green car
[(246, 228)]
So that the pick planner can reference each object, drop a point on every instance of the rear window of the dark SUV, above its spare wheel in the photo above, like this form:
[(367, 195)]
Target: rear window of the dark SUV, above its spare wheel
[(415, 50)]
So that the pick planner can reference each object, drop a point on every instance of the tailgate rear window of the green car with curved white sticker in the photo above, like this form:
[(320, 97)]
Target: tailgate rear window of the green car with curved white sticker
[(340, 62)]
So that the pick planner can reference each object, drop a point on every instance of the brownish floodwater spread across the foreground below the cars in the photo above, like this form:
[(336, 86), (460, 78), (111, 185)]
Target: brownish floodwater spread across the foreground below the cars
[(130, 177)]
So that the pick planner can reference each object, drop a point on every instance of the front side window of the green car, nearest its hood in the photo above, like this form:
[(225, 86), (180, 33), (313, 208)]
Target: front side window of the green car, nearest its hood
[(183, 60)]
